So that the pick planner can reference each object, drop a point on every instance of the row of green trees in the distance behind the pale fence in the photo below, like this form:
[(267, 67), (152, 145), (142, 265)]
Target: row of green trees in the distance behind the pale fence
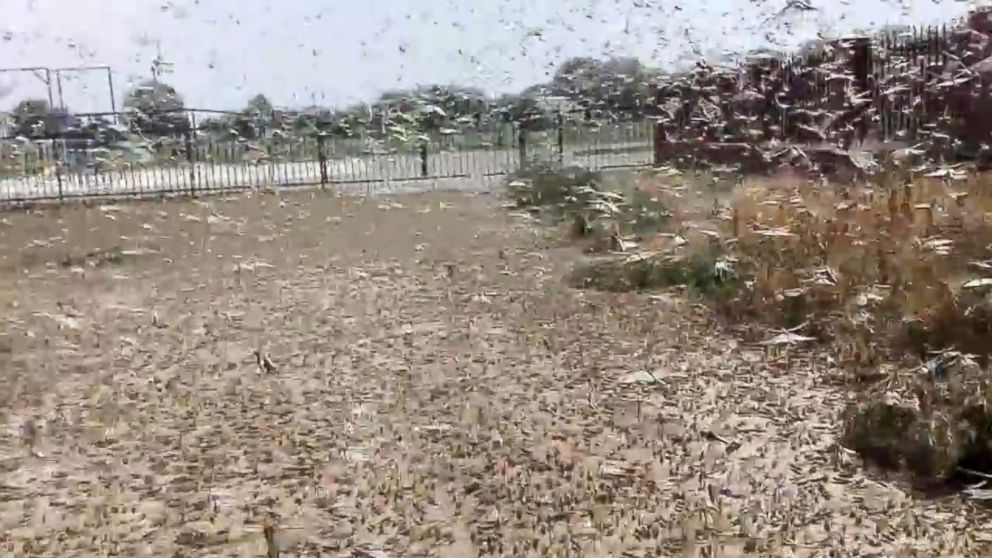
[(590, 88)]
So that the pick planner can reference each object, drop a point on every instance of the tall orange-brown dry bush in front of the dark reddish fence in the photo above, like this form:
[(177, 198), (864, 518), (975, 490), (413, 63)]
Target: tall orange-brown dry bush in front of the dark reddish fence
[(884, 274)]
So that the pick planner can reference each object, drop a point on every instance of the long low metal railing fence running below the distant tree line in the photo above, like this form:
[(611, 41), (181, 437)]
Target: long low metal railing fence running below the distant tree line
[(64, 169)]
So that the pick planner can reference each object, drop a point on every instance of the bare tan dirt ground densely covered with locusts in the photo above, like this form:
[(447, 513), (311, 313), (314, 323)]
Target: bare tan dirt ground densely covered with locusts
[(437, 392)]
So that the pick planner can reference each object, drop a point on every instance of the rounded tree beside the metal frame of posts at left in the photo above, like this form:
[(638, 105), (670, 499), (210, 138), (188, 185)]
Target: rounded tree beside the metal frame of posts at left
[(155, 108)]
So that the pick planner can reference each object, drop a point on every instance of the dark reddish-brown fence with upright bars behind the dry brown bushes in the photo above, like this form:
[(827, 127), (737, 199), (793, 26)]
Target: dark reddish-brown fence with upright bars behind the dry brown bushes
[(907, 86)]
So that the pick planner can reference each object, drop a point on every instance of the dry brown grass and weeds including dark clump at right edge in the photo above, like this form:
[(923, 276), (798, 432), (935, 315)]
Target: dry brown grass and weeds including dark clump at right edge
[(893, 276)]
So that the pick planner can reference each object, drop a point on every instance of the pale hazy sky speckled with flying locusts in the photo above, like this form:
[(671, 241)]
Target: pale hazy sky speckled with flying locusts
[(334, 52)]
